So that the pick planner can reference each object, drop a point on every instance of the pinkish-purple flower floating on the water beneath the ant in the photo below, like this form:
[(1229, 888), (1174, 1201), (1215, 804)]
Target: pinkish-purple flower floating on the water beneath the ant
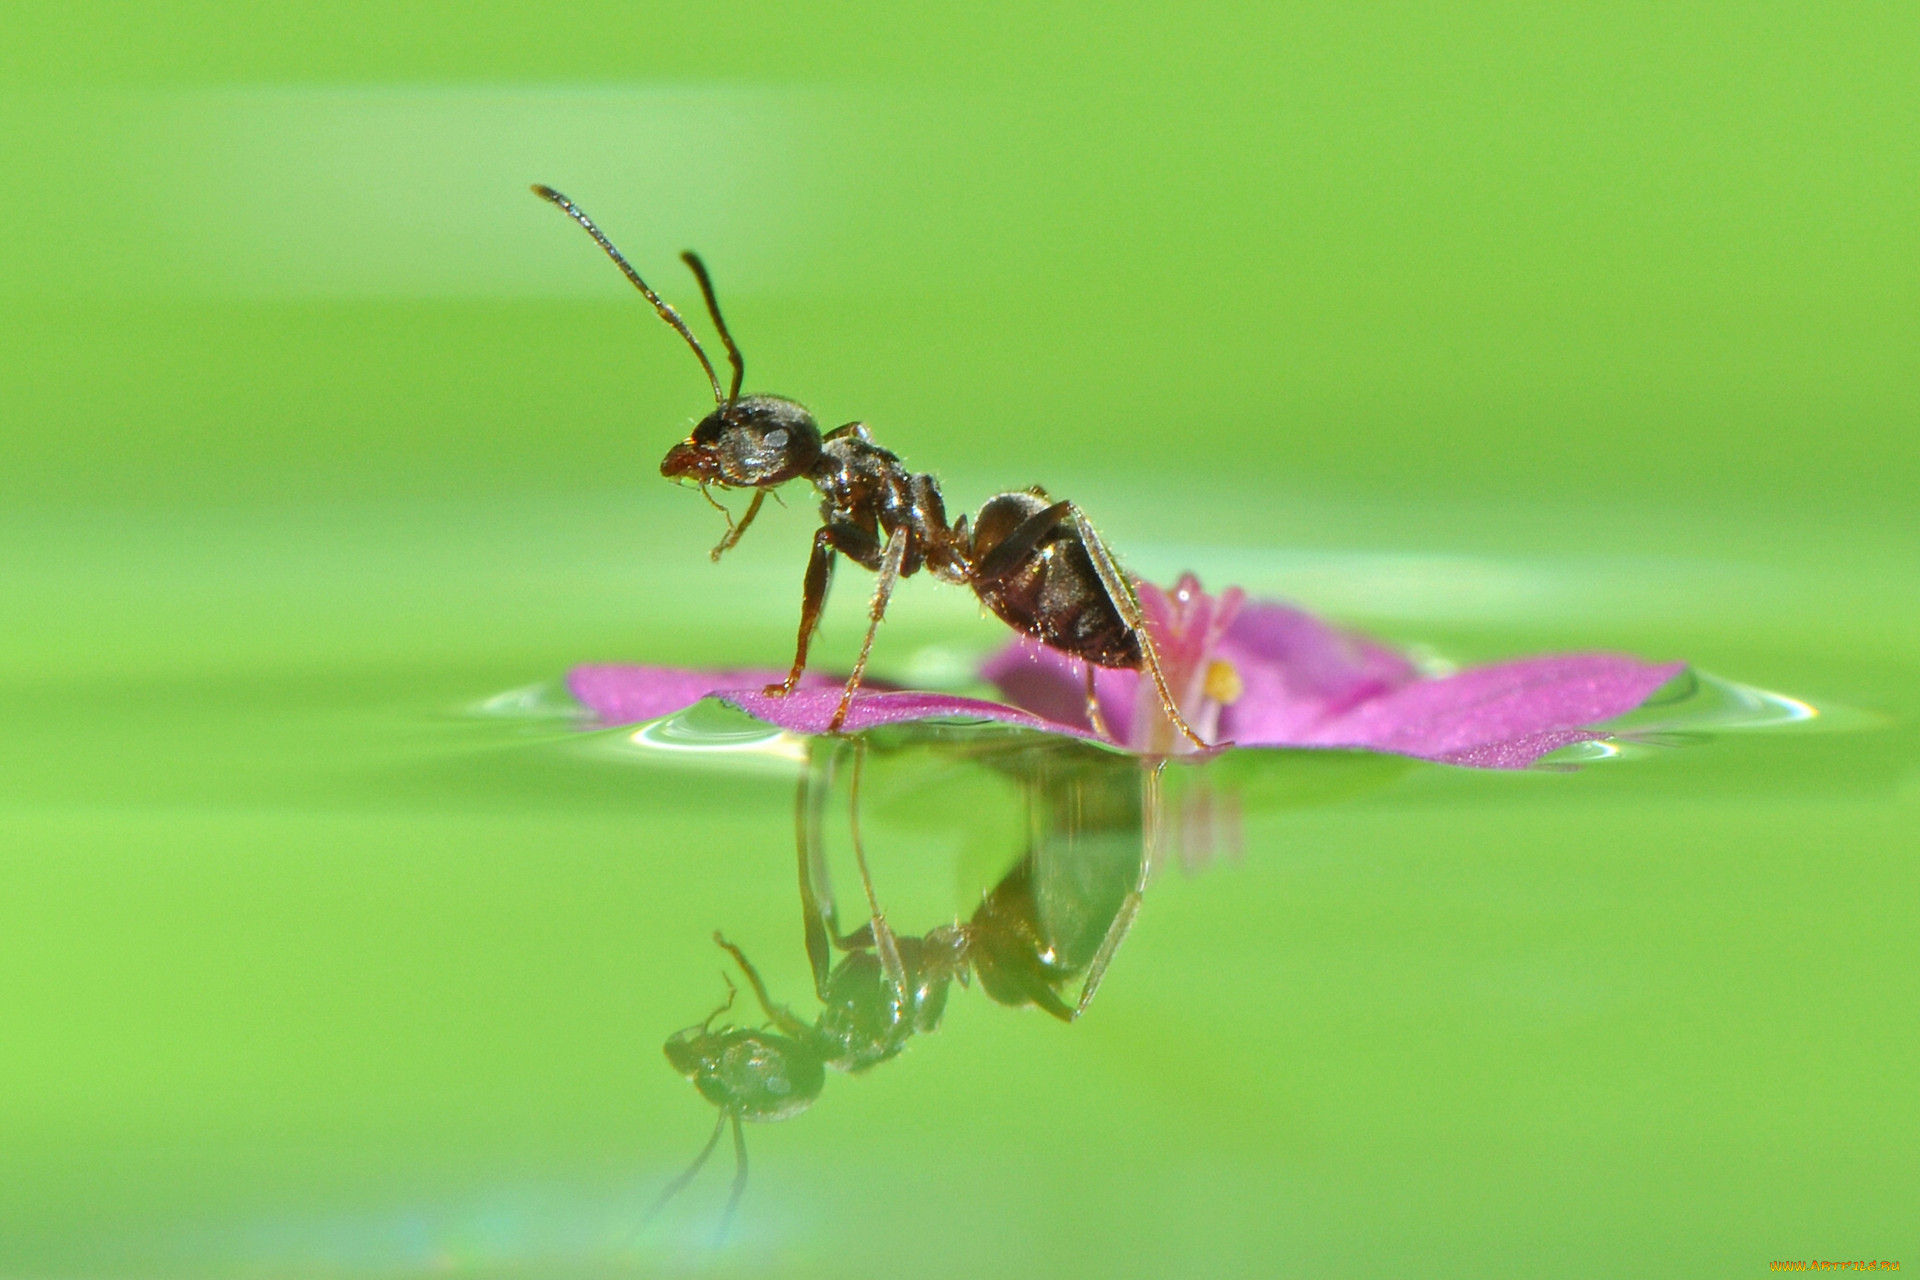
[(1245, 673)]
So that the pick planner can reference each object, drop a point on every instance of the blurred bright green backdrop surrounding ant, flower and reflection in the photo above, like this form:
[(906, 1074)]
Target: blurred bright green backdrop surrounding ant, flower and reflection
[(1491, 329)]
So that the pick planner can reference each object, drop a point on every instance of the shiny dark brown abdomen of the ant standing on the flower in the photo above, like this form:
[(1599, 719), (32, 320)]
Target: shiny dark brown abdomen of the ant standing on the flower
[(1034, 571)]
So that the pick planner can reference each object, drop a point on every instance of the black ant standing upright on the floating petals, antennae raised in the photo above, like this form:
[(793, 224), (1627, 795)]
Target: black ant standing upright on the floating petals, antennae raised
[(1036, 563)]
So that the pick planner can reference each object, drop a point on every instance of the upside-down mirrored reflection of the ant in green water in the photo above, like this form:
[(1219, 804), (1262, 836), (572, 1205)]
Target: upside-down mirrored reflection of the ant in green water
[(1051, 922)]
